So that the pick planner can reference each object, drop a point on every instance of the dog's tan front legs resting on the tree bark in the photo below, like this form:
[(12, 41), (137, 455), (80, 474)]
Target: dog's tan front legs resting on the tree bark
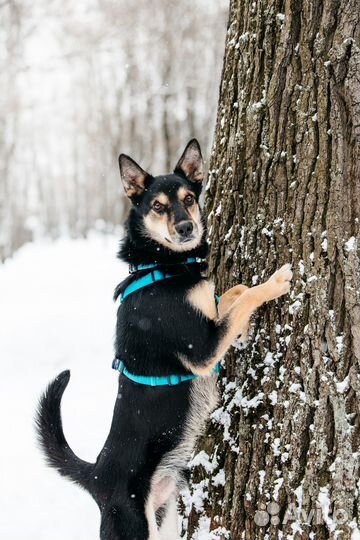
[(237, 308)]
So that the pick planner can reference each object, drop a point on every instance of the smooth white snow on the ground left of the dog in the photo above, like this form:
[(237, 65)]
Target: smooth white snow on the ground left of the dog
[(56, 312)]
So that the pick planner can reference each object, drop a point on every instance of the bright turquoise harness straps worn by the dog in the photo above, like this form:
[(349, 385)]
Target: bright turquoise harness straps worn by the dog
[(148, 279)]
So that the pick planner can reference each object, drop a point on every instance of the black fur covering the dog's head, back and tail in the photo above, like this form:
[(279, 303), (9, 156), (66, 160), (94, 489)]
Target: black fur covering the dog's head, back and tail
[(154, 325)]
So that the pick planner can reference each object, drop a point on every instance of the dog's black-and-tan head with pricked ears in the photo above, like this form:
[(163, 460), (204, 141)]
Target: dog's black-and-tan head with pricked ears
[(167, 206)]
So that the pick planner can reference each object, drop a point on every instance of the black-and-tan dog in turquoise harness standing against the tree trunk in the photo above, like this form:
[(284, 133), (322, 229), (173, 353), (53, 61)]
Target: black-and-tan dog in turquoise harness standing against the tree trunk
[(171, 328)]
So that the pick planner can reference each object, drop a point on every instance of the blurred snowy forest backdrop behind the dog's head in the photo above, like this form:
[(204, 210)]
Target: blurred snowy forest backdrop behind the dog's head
[(82, 81)]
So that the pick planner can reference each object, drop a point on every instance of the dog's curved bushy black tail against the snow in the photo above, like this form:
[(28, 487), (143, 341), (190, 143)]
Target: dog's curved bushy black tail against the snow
[(51, 436)]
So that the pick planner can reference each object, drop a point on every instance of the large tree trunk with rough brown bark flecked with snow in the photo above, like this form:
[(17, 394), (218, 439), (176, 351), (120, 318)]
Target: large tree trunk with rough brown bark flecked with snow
[(284, 186)]
